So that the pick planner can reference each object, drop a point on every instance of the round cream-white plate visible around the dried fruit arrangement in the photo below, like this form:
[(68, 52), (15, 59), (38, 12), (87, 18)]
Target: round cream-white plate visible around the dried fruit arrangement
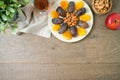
[(74, 39)]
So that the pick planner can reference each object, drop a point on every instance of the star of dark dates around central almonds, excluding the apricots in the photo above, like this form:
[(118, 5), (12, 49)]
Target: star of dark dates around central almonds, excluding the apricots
[(69, 19)]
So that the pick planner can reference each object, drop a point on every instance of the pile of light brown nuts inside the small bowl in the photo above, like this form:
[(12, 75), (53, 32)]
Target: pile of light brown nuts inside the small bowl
[(102, 6)]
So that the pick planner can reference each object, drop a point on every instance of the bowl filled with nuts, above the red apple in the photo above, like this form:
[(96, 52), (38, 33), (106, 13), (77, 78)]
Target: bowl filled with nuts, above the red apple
[(101, 6)]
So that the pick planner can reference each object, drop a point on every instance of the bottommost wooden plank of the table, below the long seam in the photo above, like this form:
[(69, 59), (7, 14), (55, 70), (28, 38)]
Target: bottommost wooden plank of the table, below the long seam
[(59, 72)]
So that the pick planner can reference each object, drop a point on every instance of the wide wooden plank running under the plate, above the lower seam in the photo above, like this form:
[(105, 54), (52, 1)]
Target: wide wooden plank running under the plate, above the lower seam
[(100, 46)]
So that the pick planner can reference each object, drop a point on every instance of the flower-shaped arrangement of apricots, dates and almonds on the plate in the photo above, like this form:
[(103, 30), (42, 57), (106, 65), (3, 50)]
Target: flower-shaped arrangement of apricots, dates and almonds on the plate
[(71, 19)]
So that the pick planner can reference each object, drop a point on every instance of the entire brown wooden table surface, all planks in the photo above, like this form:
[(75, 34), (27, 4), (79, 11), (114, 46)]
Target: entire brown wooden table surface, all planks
[(30, 57)]
